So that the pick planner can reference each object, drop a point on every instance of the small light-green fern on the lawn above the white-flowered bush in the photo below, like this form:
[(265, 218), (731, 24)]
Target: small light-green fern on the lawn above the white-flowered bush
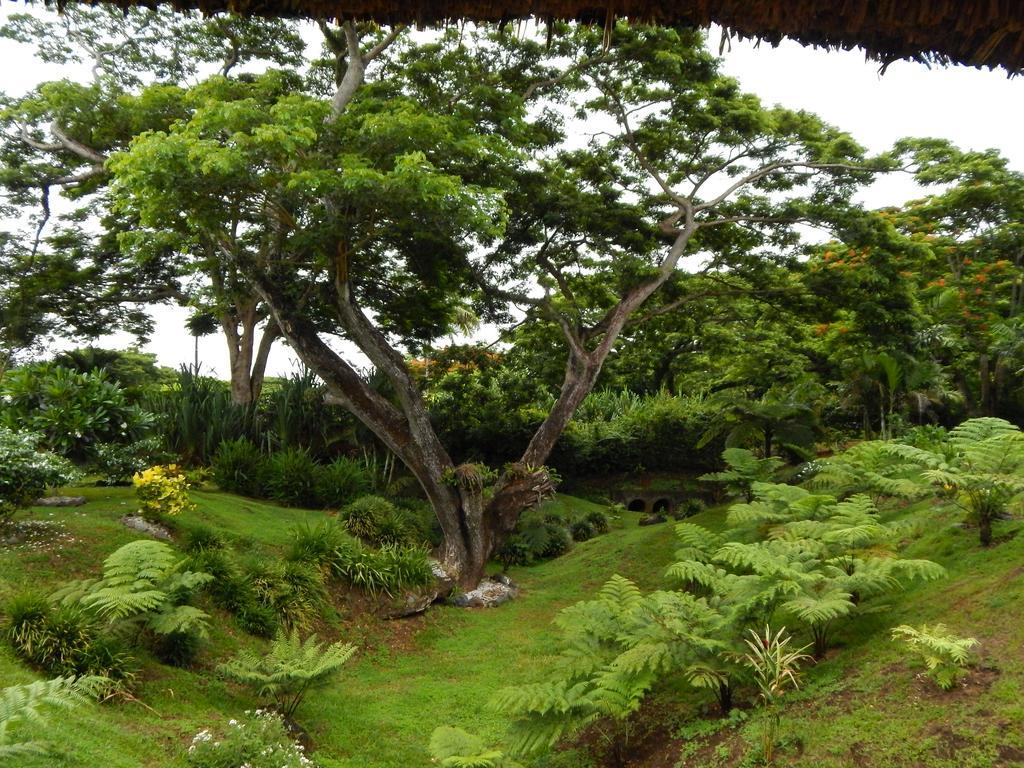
[(290, 670)]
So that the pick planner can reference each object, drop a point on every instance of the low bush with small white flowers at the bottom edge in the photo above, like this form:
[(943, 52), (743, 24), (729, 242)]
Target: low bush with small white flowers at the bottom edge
[(258, 740)]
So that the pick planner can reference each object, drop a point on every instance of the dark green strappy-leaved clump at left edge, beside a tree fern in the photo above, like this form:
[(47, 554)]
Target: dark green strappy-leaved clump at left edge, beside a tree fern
[(64, 641)]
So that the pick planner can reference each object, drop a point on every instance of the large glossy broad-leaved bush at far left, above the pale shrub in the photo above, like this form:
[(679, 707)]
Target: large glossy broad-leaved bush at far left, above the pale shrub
[(73, 413)]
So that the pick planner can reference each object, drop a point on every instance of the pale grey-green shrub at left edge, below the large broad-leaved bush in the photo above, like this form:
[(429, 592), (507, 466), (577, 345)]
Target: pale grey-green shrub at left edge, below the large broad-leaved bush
[(27, 473)]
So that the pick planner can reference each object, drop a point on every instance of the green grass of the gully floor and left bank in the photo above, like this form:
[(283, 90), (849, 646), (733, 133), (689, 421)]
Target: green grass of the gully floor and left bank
[(411, 676)]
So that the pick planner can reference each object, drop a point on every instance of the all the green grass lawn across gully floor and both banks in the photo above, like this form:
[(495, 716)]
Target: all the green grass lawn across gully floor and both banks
[(866, 705)]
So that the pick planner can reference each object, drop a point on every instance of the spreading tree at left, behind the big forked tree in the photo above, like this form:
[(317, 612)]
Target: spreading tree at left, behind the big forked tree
[(56, 142)]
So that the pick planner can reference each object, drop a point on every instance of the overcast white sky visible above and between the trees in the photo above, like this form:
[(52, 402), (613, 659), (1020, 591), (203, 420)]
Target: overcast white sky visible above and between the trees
[(976, 109)]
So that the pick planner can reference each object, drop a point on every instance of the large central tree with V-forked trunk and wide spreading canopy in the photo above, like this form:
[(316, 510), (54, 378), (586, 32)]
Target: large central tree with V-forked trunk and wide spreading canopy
[(375, 196)]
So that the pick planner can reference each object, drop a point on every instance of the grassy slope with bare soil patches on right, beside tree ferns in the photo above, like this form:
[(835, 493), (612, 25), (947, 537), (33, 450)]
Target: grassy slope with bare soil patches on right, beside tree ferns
[(869, 705)]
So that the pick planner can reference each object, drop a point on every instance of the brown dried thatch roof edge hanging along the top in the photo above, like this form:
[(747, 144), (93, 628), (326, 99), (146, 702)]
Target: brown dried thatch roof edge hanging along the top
[(983, 33)]
